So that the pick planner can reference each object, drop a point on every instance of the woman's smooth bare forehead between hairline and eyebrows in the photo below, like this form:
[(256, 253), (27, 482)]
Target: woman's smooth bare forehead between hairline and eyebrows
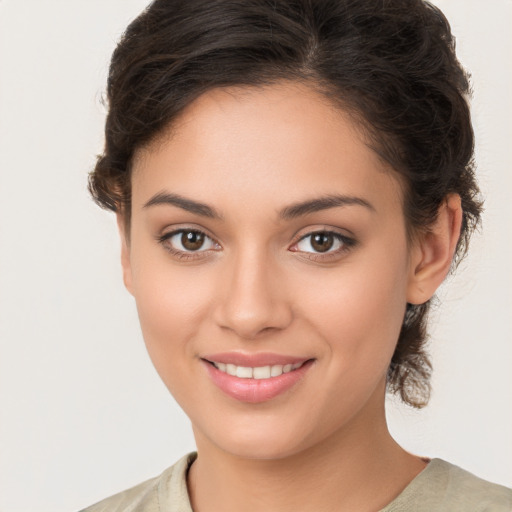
[(268, 145)]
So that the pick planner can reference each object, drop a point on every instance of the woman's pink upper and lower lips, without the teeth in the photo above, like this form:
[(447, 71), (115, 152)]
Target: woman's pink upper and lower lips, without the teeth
[(254, 390)]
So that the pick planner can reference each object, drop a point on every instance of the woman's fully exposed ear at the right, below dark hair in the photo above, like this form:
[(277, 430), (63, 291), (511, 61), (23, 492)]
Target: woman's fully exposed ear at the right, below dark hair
[(432, 252)]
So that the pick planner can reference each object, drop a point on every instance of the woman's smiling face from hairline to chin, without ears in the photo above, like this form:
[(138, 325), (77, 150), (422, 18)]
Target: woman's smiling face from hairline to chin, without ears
[(268, 241)]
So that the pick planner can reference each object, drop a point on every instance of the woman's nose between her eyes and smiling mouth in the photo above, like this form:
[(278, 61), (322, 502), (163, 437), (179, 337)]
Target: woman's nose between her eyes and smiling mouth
[(252, 297)]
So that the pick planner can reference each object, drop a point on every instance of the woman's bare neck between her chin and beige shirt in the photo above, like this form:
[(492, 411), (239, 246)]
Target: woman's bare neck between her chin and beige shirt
[(359, 468)]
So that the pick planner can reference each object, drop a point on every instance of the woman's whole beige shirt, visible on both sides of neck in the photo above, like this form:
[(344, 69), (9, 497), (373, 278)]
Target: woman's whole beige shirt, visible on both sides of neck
[(440, 487)]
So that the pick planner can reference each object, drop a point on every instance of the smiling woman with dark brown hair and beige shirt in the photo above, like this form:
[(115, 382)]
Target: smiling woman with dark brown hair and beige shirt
[(292, 181)]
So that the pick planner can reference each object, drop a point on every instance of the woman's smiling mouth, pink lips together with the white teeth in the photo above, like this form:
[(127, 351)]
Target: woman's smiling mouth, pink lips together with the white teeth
[(255, 378)]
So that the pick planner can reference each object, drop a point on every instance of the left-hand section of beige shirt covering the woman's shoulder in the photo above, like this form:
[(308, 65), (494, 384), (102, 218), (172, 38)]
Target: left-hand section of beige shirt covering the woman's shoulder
[(166, 492)]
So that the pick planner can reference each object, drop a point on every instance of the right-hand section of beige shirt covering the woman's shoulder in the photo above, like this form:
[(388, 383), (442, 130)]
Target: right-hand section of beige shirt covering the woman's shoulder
[(444, 486)]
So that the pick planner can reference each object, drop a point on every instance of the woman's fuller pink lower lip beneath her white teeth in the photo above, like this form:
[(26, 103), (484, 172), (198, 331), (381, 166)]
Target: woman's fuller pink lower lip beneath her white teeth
[(256, 390)]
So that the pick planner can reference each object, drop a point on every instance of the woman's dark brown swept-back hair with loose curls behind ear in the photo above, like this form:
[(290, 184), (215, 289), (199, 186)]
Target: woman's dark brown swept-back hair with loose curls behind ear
[(390, 63)]
